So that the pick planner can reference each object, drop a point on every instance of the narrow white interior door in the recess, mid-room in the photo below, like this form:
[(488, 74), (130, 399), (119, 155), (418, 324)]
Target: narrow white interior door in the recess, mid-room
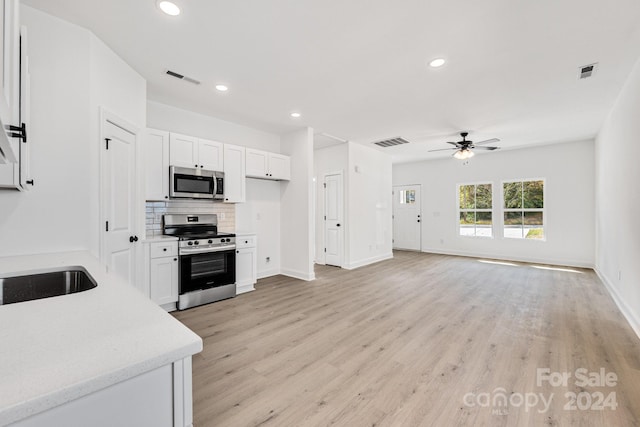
[(334, 219)]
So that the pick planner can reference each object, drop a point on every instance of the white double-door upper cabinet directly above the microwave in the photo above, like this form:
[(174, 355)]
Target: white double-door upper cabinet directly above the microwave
[(190, 152)]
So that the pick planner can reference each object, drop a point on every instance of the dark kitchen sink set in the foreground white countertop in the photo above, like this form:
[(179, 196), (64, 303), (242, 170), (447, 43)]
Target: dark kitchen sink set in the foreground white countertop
[(44, 284)]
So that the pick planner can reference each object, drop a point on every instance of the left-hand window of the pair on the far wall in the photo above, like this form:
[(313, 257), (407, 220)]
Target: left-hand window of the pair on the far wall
[(475, 210)]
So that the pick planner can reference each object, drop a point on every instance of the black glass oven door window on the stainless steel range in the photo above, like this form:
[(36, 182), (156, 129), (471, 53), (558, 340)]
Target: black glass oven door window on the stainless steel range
[(207, 270)]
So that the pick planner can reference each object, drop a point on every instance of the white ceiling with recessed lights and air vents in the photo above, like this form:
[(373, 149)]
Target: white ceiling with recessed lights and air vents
[(357, 69)]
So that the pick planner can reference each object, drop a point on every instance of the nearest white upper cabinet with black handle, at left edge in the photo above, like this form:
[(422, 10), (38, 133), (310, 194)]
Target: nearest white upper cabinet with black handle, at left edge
[(9, 79)]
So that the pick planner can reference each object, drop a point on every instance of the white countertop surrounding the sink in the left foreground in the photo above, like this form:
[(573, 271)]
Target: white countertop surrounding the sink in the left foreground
[(58, 349)]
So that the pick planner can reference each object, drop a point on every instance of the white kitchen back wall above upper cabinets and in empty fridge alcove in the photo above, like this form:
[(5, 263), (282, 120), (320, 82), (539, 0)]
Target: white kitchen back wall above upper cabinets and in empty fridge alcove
[(261, 212)]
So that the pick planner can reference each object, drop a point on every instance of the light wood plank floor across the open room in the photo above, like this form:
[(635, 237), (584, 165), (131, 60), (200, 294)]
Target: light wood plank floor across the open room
[(402, 342)]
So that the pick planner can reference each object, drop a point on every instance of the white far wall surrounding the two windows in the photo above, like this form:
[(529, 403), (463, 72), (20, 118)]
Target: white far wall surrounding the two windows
[(569, 197)]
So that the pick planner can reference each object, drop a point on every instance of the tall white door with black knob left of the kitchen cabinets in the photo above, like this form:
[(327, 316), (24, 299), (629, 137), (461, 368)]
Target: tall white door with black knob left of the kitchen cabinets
[(119, 200)]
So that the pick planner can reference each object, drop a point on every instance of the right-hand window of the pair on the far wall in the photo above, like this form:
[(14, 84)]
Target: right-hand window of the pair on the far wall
[(524, 209)]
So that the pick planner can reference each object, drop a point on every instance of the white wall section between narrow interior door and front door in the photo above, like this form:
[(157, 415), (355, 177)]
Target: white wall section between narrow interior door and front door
[(369, 207)]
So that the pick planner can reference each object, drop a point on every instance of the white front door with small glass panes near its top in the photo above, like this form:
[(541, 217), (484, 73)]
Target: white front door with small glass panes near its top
[(407, 217)]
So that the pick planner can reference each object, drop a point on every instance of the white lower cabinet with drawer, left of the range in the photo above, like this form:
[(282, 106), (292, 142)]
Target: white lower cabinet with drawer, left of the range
[(163, 274)]
